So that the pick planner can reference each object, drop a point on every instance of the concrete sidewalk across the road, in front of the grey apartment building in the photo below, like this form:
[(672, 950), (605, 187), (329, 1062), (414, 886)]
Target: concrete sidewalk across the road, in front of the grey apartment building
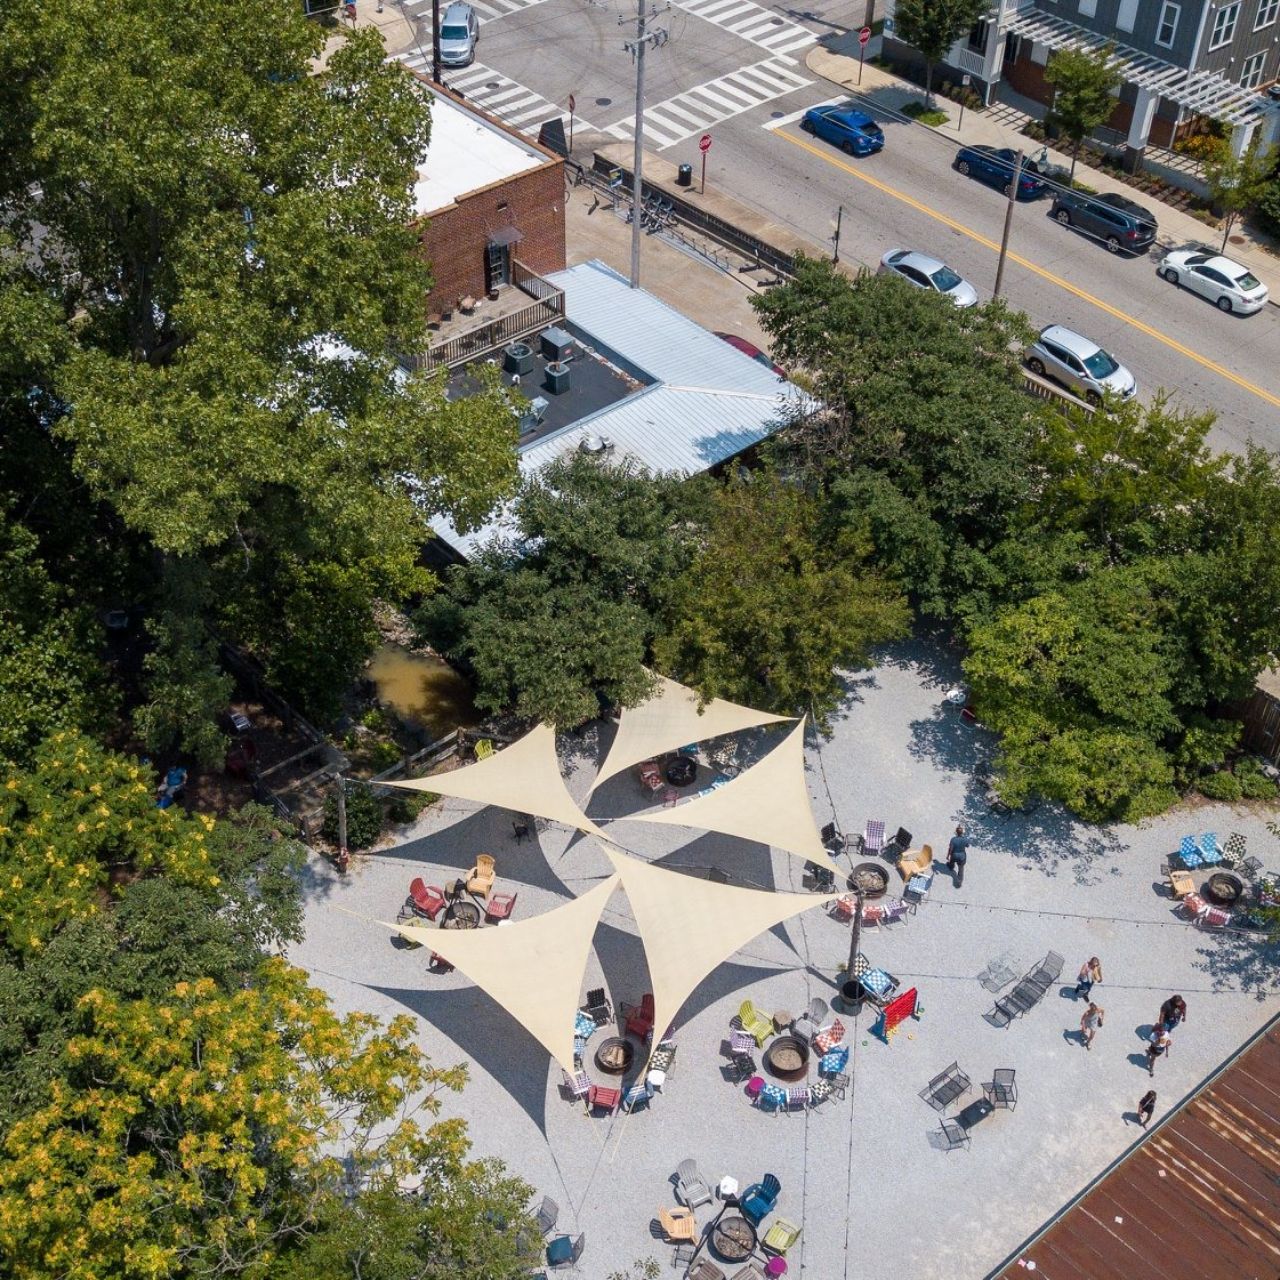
[(889, 92)]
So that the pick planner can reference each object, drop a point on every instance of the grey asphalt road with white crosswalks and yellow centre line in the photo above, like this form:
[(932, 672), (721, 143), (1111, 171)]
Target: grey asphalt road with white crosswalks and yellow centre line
[(737, 70)]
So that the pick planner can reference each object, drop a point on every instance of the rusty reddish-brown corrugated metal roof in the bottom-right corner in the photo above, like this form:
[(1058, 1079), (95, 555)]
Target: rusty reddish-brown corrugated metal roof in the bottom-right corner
[(1197, 1200)]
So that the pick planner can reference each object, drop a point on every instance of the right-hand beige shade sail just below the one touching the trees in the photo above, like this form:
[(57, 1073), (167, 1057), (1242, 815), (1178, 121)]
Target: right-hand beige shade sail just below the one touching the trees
[(769, 802)]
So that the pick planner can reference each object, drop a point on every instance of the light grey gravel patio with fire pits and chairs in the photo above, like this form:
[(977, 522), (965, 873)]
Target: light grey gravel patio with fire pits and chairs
[(867, 1178)]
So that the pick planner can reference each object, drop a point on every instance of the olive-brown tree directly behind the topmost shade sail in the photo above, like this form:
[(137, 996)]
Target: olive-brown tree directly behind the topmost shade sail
[(774, 604)]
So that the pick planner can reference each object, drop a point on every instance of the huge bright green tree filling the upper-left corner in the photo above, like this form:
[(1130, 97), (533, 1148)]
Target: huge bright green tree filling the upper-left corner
[(227, 260)]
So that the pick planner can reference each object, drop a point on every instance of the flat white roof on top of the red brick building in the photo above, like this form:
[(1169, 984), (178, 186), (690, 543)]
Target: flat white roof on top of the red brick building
[(465, 154)]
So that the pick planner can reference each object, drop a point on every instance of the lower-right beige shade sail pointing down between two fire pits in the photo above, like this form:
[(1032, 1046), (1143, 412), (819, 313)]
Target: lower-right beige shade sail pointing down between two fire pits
[(692, 926)]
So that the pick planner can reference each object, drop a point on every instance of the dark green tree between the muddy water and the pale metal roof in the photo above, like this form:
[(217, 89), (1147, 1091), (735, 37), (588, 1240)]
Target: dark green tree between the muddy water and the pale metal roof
[(560, 615)]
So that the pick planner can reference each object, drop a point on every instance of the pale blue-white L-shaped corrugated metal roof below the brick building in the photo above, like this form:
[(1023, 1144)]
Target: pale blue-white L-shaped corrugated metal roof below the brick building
[(708, 401)]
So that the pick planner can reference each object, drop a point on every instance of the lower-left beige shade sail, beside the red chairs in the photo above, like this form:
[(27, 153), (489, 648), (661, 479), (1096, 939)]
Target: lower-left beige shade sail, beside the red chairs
[(533, 968)]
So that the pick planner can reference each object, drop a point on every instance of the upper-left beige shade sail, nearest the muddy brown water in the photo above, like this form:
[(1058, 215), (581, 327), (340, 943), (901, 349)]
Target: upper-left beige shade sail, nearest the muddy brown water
[(524, 778)]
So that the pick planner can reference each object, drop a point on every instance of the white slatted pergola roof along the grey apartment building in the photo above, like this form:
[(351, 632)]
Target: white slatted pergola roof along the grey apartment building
[(1205, 93)]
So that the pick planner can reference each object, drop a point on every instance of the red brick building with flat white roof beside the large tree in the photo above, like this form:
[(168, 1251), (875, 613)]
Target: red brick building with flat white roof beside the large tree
[(491, 199)]
